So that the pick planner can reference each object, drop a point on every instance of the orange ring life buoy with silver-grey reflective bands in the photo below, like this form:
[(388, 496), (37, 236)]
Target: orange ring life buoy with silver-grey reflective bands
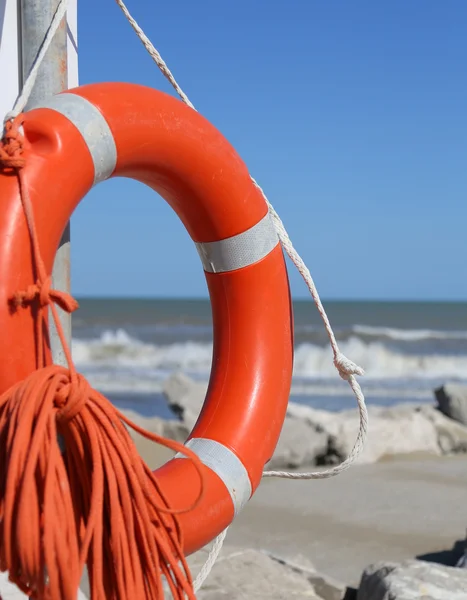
[(82, 137)]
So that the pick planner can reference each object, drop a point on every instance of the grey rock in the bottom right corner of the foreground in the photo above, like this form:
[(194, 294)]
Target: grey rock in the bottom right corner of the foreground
[(412, 580)]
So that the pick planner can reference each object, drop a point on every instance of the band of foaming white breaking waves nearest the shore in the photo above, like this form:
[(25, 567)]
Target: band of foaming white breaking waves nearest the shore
[(115, 350)]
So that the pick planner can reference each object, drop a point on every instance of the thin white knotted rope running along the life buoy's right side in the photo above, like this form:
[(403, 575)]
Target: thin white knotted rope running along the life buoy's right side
[(345, 367)]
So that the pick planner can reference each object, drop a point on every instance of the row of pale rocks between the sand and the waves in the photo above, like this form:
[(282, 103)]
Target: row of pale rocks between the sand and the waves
[(313, 437)]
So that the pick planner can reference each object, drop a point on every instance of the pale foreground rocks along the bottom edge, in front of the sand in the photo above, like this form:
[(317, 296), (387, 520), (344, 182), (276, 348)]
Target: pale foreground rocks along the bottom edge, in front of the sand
[(253, 574)]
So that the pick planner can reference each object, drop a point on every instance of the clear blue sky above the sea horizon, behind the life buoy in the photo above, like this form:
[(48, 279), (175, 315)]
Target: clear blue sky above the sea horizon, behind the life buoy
[(351, 115)]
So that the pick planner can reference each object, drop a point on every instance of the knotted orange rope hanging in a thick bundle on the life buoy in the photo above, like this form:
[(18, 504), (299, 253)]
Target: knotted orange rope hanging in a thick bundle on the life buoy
[(97, 503)]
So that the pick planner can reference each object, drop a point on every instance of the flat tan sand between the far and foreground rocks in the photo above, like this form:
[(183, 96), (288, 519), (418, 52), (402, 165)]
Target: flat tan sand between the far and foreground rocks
[(400, 508)]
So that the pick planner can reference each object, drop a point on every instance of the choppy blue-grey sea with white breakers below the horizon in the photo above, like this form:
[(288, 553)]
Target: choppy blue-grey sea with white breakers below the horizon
[(127, 348)]
